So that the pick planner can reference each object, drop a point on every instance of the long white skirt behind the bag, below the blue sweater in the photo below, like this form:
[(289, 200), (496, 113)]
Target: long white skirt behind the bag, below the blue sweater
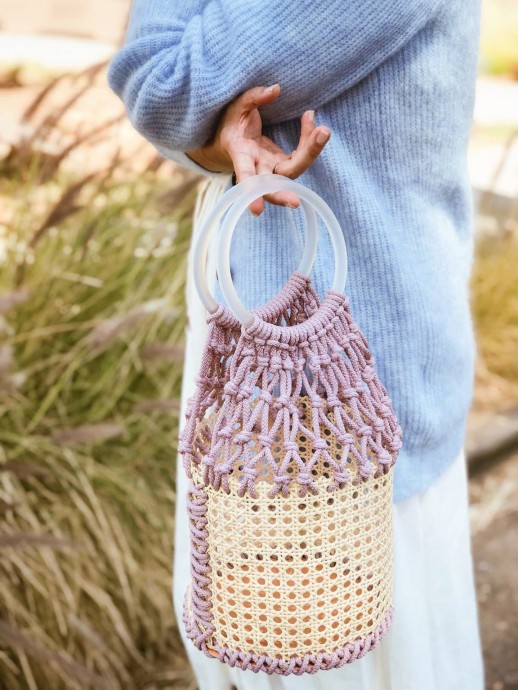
[(434, 641)]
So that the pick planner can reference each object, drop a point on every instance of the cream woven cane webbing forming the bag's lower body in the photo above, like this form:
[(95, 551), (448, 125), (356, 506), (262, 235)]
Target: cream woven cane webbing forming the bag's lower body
[(291, 575)]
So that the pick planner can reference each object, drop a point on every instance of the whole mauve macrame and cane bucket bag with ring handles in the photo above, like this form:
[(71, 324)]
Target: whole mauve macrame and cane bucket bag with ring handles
[(289, 448)]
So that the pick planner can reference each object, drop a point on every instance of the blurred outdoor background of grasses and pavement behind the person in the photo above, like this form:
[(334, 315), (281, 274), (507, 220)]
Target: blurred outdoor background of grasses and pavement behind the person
[(94, 230)]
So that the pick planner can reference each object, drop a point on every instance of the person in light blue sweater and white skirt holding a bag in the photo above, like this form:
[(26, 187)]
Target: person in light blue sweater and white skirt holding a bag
[(234, 88)]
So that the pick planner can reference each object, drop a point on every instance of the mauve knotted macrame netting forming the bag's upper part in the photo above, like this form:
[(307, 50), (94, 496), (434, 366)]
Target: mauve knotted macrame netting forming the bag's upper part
[(326, 359)]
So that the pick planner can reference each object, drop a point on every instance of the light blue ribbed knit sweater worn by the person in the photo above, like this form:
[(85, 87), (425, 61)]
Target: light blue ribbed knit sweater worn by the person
[(394, 82)]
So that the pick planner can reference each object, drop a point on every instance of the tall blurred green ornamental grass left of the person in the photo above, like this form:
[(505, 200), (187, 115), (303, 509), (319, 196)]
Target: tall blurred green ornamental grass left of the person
[(91, 318)]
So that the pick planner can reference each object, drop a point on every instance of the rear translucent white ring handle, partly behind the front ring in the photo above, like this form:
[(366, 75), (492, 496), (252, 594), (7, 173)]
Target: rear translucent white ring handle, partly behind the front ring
[(224, 203)]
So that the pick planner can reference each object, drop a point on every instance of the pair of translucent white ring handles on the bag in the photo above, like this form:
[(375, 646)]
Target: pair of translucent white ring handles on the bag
[(235, 201)]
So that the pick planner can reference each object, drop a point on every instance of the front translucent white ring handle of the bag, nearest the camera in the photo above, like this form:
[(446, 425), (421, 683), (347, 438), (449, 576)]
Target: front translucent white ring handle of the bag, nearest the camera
[(249, 190)]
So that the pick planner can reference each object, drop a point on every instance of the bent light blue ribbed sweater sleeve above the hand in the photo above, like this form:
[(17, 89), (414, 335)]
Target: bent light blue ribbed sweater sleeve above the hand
[(183, 61)]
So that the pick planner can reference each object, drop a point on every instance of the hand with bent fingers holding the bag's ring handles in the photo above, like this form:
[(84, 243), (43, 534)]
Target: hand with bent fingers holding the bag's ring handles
[(239, 146)]
